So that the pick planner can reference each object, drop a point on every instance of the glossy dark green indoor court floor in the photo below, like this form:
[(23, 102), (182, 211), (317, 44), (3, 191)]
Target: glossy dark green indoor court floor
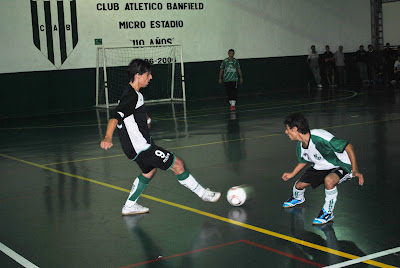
[(61, 195)]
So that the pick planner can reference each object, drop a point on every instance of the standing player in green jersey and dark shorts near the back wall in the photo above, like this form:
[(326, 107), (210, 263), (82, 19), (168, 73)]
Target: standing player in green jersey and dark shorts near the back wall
[(230, 69)]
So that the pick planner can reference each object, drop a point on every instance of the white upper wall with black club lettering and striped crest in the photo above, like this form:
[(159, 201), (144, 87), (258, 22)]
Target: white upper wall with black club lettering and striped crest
[(63, 34)]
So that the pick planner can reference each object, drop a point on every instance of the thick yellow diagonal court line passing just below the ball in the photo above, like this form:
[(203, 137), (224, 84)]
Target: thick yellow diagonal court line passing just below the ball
[(210, 215)]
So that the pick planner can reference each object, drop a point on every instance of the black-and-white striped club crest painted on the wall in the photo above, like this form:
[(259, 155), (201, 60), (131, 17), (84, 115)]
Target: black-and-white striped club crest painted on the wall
[(54, 28)]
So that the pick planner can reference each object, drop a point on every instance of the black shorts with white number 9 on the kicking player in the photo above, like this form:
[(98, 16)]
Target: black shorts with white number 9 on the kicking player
[(155, 157)]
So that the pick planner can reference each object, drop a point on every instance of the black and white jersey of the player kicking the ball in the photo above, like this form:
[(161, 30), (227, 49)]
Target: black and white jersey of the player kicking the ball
[(132, 123)]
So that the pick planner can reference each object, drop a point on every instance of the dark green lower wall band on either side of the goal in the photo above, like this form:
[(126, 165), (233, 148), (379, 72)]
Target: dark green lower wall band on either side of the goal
[(35, 93)]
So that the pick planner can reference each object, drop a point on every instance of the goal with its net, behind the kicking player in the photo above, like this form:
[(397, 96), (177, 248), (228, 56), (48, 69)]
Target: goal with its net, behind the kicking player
[(167, 69)]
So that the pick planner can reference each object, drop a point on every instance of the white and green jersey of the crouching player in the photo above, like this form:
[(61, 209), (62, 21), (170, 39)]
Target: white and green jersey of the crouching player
[(325, 151)]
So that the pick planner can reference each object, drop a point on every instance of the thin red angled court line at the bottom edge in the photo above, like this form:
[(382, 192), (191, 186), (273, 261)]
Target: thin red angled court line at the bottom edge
[(228, 244)]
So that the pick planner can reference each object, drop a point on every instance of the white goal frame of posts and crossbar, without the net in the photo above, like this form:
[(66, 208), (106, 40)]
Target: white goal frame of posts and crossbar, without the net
[(103, 64)]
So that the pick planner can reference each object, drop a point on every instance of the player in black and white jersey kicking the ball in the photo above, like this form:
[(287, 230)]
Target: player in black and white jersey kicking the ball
[(132, 123)]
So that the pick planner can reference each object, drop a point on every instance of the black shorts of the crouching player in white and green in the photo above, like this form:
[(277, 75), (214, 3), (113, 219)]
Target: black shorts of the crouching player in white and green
[(317, 177)]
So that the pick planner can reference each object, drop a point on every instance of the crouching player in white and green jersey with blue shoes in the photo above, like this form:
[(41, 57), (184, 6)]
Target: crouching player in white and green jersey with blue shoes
[(333, 162)]
